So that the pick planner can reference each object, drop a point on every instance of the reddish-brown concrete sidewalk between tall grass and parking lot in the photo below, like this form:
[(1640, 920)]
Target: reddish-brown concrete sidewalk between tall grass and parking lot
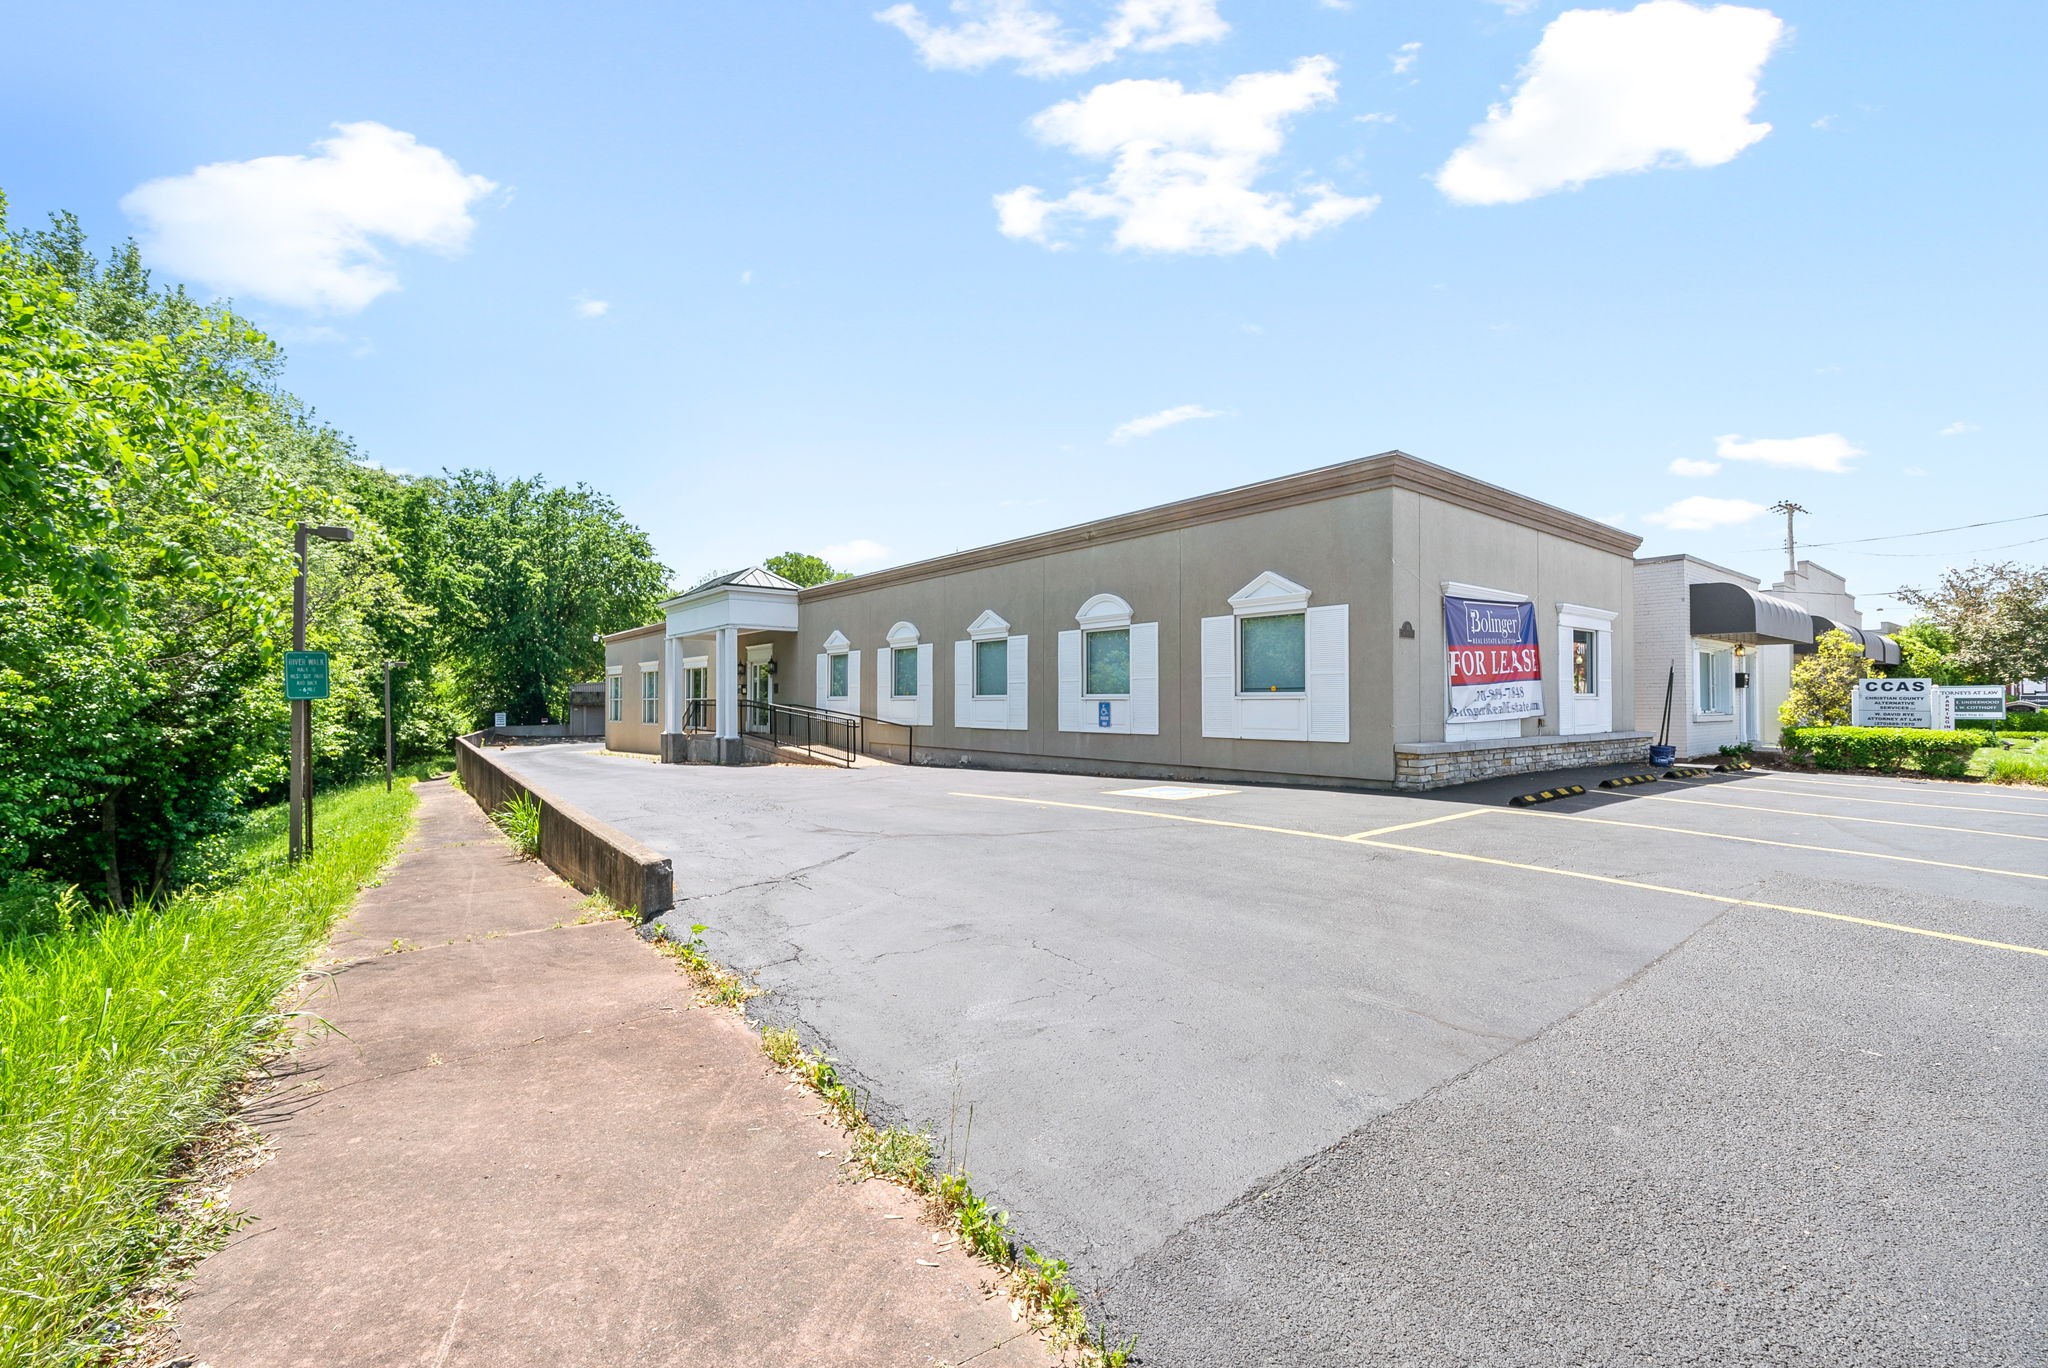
[(529, 1148)]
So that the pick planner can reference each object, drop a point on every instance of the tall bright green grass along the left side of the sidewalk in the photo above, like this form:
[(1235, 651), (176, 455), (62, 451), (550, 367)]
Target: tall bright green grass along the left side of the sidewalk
[(118, 1039)]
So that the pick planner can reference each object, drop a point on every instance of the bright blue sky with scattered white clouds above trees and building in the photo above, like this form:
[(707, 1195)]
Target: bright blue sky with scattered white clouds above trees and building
[(816, 331)]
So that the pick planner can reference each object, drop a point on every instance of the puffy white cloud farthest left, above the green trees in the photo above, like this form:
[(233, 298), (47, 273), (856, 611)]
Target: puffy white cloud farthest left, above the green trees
[(304, 230)]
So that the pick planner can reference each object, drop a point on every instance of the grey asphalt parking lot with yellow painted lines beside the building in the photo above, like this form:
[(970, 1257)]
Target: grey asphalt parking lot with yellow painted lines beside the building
[(1744, 1070)]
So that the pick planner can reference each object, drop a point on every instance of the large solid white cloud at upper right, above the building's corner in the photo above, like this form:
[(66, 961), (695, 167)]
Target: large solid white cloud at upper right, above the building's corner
[(1609, 93)]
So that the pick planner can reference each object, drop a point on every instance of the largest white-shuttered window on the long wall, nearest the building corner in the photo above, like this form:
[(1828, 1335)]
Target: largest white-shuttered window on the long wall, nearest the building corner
[(1275, 669)]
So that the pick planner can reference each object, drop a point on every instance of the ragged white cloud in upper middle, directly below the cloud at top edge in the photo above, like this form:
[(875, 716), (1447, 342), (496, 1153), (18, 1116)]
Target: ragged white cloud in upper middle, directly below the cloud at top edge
[(1185, 165)]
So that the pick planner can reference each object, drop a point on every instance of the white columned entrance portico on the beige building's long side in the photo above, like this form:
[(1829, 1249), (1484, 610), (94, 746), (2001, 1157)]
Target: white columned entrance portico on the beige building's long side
[(726, 640)]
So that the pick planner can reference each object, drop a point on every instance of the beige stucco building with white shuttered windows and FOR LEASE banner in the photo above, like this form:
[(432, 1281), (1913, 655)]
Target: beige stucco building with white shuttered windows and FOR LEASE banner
[(1293, 630)]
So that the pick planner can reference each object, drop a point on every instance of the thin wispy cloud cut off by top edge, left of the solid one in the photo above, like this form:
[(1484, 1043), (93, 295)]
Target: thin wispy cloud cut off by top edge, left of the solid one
[(1041, 46)]
